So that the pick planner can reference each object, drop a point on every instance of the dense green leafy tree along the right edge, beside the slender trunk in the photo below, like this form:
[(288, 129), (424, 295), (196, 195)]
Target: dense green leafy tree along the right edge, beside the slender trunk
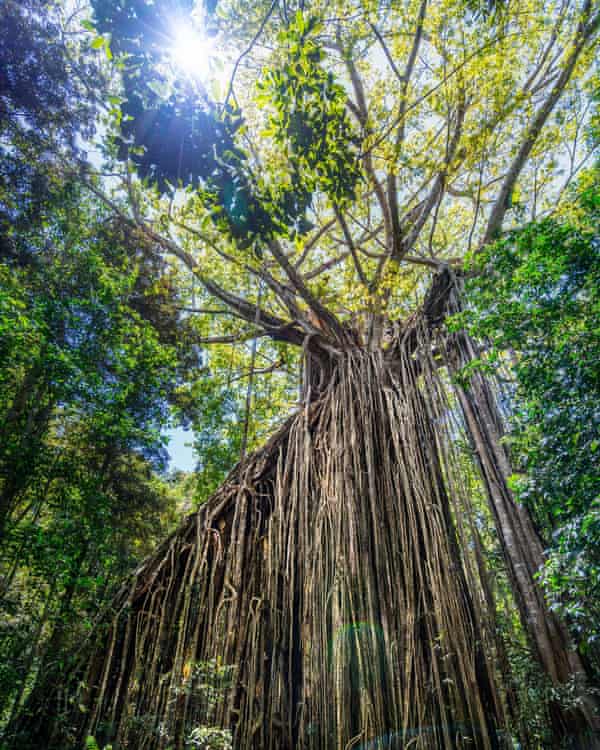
[(539, 303)]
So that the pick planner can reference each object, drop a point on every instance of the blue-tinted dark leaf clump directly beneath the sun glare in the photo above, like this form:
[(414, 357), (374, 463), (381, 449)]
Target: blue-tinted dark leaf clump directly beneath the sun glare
[(173, 134)]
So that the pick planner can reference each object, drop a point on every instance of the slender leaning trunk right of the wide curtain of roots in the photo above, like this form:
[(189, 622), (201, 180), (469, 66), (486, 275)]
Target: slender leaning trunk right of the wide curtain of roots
[(524, 556)]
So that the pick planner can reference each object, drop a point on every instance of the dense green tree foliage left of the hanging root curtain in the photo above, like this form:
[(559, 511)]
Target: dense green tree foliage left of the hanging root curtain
[(93, 356)]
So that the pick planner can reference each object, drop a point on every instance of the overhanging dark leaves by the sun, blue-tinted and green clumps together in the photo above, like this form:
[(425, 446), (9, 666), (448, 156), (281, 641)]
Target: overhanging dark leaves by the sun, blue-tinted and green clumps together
[(176, 136)]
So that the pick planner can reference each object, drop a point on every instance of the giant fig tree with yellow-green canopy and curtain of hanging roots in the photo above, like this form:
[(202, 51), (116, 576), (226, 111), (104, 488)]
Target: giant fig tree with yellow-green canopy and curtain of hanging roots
[(315, 202)]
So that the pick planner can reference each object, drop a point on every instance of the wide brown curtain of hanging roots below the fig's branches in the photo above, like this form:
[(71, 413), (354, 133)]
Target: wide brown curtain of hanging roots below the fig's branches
[(319, 600)]
